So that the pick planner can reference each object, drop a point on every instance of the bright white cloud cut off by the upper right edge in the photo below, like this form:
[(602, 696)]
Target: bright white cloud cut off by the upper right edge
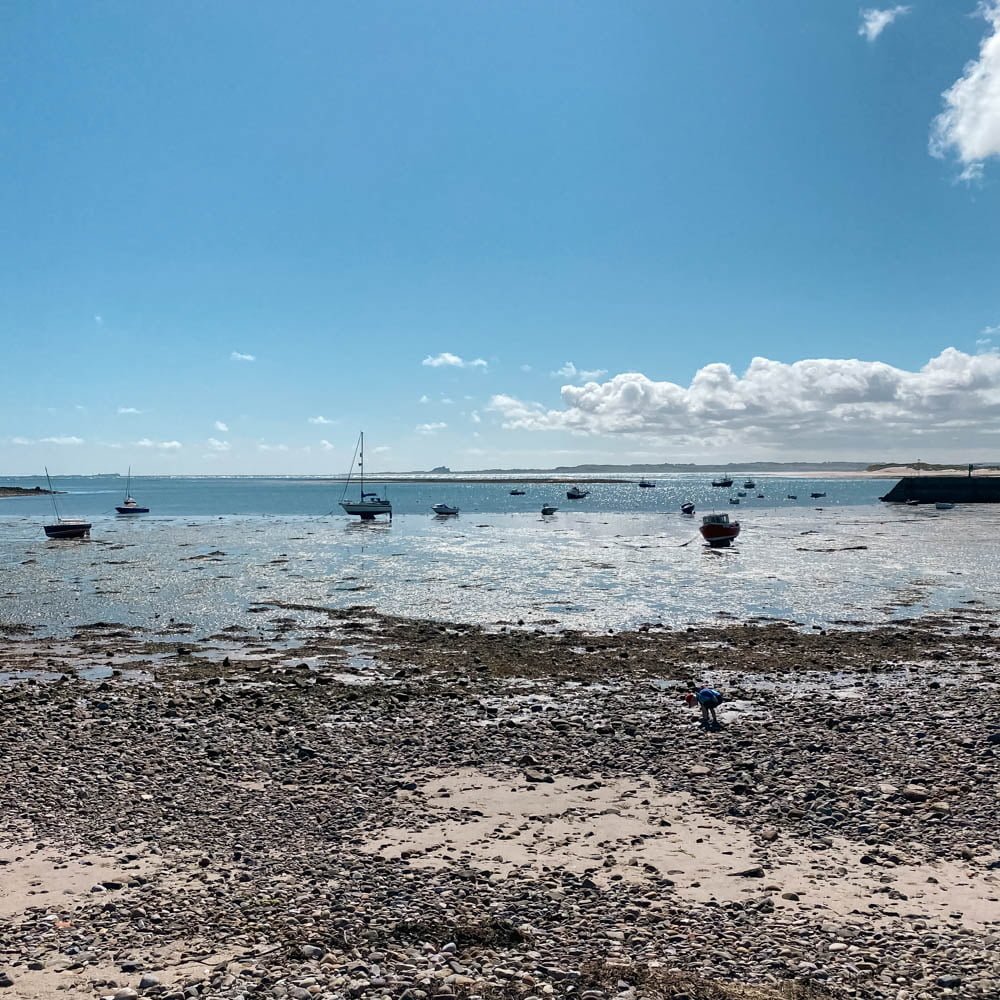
[(969, 126)]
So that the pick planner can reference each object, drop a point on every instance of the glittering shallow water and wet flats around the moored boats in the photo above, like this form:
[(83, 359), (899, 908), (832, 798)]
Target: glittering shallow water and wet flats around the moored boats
[(598, 564)]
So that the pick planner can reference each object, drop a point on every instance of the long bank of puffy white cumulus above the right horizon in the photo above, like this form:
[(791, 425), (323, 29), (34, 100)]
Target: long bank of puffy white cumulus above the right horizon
[(821, 405)]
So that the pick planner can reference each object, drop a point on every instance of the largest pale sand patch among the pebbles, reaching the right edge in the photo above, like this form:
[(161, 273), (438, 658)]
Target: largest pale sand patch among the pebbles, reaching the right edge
[(629, 830)]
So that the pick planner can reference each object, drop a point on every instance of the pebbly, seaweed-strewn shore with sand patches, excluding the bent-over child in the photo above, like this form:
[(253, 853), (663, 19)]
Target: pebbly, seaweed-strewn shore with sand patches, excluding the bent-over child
[(342, 804)]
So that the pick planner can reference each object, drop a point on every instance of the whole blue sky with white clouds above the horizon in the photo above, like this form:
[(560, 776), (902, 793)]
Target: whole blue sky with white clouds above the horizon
[(440, 221)]
